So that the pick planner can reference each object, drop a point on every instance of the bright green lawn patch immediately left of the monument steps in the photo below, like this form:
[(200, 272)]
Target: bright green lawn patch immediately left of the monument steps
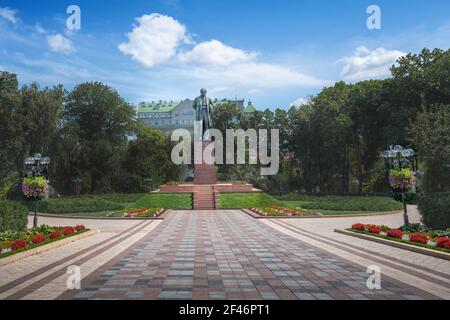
[(166, 201)]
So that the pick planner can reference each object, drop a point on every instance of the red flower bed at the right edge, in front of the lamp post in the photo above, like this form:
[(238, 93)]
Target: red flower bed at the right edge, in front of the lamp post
[(413, 235)]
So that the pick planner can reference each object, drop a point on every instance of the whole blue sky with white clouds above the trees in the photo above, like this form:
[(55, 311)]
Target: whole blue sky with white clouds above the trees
[(274, 53)]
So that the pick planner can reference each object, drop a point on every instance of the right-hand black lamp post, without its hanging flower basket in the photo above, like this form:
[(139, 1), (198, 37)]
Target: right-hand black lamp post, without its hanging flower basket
[(397, 157)]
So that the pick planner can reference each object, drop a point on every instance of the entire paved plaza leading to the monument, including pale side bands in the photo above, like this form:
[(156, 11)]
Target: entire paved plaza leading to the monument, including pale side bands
[(225, 255)]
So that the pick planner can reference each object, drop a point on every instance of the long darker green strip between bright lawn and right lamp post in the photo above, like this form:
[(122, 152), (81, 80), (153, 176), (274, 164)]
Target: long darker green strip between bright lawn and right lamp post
[(352, 204)]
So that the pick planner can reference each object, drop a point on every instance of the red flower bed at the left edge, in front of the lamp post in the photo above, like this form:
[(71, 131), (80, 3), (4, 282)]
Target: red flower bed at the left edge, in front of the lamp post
[(12, 242)]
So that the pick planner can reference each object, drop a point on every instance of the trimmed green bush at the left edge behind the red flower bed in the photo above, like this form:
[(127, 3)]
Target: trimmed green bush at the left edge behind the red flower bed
[(13, 216)]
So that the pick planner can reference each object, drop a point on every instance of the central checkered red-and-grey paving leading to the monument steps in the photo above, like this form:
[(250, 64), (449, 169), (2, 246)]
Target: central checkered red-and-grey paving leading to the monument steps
[(230, 255)]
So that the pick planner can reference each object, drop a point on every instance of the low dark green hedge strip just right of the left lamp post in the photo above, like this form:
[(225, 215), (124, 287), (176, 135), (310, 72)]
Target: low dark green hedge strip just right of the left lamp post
[(76, 205)]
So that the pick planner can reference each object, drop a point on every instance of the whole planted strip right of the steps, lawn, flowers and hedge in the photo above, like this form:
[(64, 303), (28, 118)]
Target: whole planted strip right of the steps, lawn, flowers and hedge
[(308, 205)]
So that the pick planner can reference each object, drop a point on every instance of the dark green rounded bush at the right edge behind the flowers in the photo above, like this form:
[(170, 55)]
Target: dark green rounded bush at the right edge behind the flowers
[(435, 210)]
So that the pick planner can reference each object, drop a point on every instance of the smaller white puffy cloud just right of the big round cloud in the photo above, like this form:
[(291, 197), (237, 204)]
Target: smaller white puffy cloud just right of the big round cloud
[(215, 52)]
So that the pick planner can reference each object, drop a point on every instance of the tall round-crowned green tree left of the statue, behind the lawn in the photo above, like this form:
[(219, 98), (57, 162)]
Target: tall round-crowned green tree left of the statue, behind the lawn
[(103, 121)]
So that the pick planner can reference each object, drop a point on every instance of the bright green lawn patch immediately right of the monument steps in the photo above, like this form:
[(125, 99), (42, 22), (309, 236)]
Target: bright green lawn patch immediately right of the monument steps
[(247, 200)]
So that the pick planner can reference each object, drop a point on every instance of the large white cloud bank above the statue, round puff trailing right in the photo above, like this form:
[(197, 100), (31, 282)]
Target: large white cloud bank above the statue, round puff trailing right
[(157, 38)]
